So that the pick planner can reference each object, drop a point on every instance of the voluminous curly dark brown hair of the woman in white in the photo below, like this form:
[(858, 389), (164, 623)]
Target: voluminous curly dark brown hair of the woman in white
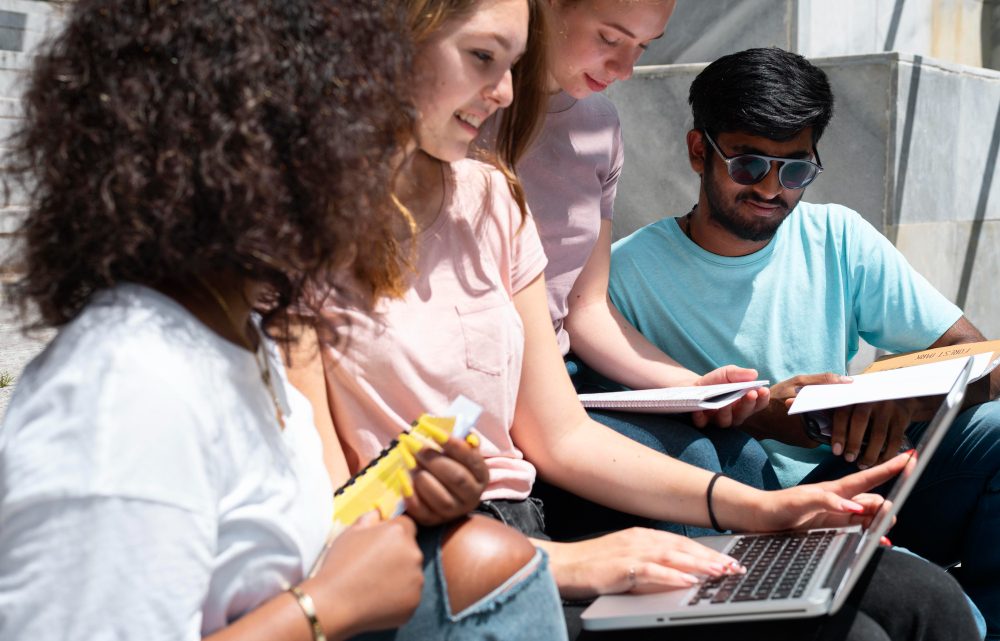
[(167, 138)]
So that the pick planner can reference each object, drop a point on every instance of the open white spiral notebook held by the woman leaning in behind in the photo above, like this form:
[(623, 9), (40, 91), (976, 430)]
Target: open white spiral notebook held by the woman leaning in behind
[(671, 400)]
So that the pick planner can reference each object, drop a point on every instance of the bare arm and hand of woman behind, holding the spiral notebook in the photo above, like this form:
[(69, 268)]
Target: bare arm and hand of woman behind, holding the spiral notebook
[(606, 341)]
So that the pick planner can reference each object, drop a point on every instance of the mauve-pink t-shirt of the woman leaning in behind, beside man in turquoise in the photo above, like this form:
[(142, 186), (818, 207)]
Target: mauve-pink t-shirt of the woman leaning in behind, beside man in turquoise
[(570, 176)]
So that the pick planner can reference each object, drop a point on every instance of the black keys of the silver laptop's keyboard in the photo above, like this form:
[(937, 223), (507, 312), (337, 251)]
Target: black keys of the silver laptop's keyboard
[(779, 566)]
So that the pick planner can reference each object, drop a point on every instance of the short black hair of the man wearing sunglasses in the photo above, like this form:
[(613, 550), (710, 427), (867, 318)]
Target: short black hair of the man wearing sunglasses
[(764, 92)]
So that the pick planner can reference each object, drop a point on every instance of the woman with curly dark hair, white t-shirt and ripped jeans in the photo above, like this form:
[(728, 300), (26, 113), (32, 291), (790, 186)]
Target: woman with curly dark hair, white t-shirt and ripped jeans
[(190, 165)]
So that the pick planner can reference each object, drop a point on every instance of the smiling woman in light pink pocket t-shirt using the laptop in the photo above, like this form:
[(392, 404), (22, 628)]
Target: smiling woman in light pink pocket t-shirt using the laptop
[(474, 320)]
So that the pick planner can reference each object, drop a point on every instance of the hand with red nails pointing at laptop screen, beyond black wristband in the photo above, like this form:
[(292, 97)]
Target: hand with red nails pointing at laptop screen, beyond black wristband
[(827, 504)]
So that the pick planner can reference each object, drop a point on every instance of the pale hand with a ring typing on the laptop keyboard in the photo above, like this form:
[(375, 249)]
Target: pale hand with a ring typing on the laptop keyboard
[(635, 560)]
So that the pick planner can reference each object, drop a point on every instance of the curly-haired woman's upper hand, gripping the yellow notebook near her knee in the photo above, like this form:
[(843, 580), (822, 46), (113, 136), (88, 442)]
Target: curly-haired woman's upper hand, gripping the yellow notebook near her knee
[(447, 484)]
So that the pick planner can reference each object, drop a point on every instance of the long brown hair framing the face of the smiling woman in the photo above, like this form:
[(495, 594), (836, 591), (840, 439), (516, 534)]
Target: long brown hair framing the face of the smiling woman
[(520, 122)]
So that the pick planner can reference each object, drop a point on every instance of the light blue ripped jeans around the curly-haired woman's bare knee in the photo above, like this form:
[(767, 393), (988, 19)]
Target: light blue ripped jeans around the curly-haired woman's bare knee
[(526, 606)]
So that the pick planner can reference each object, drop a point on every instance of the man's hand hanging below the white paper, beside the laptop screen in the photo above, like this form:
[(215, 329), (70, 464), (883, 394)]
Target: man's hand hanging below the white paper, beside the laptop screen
[(883, 424)]
